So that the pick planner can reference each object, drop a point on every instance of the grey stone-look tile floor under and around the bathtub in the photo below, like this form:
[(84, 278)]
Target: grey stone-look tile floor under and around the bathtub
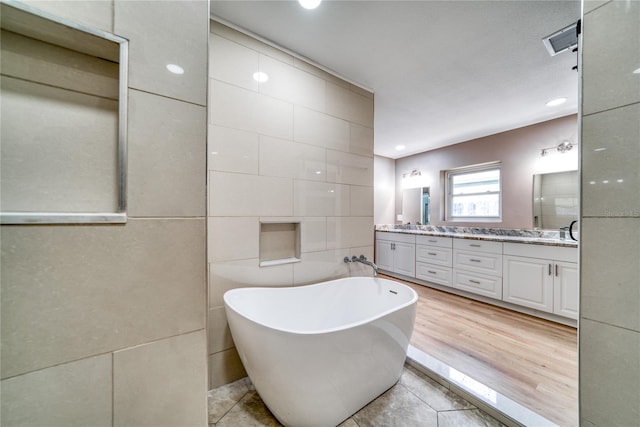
[(416, 400)]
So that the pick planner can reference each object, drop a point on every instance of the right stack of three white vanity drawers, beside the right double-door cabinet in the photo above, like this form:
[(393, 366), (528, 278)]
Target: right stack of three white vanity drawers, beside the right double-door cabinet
[(477, 267)]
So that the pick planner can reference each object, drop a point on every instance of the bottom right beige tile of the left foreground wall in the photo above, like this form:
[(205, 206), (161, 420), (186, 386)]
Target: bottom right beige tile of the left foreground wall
[(161, 383)]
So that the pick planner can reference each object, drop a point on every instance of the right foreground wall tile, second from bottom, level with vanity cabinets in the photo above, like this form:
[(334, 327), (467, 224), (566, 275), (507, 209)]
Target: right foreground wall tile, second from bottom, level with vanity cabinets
[(611, 295)]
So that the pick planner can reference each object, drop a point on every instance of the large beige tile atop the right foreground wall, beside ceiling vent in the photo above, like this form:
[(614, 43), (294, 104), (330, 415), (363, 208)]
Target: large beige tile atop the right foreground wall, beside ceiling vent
[(608, 76)]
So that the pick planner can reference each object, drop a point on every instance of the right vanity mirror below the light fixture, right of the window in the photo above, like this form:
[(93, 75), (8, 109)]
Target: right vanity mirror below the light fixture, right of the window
[(555, 199)]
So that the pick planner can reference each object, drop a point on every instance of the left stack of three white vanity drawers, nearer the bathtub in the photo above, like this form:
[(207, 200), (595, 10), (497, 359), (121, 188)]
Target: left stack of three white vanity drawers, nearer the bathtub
[(434, 257)]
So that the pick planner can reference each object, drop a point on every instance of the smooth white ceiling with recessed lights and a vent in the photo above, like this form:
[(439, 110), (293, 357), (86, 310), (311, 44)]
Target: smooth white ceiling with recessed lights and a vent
[(443, 72)]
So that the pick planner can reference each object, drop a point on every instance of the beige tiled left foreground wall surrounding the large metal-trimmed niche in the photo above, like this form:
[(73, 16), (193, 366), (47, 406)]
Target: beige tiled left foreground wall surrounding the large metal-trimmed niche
[(107, 323)]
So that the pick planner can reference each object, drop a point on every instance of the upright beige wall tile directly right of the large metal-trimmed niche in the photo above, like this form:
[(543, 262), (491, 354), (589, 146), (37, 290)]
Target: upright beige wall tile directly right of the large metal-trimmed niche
[(166, 156)]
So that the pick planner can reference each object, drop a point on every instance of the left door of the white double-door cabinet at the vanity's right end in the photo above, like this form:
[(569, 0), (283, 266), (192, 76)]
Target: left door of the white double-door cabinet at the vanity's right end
[(528, 282)]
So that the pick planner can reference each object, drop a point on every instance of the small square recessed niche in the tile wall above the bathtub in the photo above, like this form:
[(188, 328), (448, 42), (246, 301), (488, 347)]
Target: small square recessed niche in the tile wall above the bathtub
[(279, 243)]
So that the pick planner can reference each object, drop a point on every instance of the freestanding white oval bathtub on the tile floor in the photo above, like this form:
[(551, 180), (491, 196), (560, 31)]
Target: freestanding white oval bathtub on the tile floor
[(318, 353)]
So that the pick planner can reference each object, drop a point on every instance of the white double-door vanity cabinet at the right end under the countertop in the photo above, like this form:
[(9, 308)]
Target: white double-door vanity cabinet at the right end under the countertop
[(541, 277)]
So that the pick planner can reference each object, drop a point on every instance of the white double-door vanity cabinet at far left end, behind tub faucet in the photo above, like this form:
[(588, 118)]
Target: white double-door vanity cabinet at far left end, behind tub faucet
[(396, 252)]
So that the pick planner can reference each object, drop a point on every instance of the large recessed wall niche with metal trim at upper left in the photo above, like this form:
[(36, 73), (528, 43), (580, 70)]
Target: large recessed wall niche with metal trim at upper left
[(63, 122)]
